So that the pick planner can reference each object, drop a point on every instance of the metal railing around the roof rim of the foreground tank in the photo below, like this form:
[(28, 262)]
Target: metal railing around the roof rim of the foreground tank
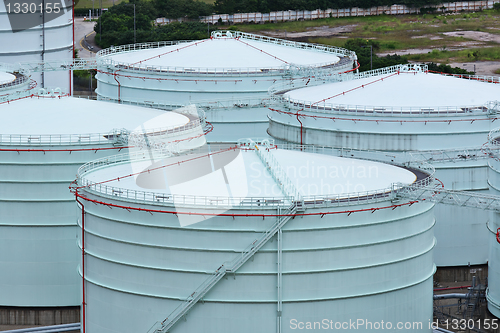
[(171, 200)]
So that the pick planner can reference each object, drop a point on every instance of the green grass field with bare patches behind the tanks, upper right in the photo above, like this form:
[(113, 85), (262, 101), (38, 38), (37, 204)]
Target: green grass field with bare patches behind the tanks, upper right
[(405, 32)]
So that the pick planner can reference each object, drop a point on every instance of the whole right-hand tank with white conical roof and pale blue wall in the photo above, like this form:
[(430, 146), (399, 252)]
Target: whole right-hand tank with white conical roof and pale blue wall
[(405, 109)]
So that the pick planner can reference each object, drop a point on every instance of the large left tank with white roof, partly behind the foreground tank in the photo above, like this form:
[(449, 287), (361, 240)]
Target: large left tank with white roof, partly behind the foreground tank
[(43, 141)]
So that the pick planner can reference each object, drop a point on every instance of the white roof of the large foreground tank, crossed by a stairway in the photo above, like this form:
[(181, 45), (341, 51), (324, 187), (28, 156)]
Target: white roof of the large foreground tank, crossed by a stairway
[(246, 176)]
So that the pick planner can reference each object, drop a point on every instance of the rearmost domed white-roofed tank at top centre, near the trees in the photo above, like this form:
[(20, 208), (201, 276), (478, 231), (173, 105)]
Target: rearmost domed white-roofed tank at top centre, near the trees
[(231, 67)]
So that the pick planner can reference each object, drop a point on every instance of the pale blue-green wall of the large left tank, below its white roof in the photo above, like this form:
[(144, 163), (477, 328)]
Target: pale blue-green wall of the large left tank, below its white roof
[(38, 252)]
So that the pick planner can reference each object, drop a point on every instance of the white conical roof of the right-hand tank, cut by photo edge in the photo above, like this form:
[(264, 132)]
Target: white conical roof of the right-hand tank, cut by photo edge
[(401, 90)]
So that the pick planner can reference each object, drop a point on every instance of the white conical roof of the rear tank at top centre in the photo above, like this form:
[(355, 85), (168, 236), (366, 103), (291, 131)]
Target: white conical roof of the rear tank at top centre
[(225, 53)]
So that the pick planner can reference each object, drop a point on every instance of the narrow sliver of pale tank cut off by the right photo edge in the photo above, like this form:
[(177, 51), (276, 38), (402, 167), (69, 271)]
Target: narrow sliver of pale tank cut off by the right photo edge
[(493, 292)]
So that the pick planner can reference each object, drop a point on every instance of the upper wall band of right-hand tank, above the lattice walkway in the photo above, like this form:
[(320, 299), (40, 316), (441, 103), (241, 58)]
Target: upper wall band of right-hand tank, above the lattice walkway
[(394, 136)]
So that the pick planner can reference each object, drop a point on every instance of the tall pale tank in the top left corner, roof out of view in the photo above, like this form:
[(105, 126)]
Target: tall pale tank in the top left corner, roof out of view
[(26, 37)]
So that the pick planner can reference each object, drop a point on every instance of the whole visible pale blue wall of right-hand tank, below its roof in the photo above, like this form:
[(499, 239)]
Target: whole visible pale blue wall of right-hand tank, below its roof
[(460, 231)]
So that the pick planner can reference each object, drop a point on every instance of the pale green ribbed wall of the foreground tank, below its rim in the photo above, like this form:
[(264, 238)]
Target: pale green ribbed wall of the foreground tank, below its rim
[(136, 260)]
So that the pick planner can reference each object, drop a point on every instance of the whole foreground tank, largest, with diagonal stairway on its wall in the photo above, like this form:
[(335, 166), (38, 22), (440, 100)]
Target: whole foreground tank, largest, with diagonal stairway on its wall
[(155, 235)]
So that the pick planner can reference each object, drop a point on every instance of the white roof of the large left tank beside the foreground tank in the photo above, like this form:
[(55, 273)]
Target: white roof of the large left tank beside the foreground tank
[(69, 115)]
